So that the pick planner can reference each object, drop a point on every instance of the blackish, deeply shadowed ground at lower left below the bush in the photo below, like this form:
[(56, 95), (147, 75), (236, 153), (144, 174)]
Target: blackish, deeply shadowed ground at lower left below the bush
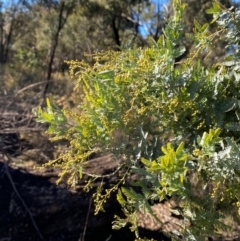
[(33, 207)]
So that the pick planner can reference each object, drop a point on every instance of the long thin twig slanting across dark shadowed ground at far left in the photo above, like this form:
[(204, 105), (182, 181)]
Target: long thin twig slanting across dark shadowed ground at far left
[(20, 198)]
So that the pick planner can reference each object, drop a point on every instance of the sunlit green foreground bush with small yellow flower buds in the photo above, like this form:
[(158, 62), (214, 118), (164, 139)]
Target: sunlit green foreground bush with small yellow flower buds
[(179, 126)]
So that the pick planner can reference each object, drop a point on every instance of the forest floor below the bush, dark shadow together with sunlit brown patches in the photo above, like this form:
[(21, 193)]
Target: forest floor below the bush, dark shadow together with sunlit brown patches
[(33, 207)]
